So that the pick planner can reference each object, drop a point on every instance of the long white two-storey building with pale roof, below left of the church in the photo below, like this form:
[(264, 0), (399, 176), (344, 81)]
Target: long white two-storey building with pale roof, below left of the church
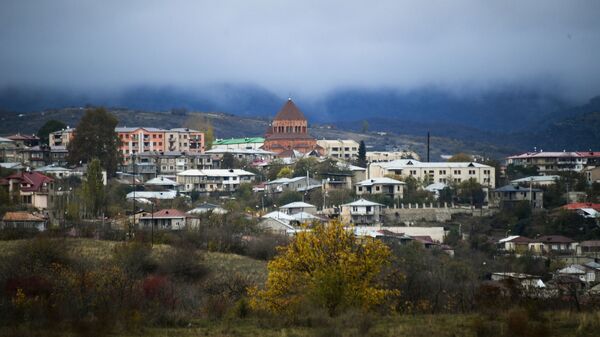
[(215, 180)]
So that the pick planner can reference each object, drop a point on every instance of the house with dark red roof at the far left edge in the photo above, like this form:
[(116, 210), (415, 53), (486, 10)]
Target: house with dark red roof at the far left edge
[(33, 188)]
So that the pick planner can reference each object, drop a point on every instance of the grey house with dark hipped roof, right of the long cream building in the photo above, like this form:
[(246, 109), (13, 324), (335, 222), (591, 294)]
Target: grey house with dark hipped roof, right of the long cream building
[(510, 195)]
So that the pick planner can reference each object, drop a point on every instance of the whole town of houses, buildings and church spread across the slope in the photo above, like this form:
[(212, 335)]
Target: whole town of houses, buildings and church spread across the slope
[(527, 225)]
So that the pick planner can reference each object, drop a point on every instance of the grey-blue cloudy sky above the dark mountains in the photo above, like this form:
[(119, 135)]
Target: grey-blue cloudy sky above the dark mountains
[(310, 47)]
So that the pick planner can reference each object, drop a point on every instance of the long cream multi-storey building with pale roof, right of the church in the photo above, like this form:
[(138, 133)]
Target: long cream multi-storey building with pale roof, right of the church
[(435, 172)]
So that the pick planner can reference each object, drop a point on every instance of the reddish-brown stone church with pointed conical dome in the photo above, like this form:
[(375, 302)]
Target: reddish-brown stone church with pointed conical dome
[(289, 132)]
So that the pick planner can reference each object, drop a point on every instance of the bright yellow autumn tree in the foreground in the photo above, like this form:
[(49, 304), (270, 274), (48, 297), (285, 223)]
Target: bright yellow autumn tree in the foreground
[(327, 267)]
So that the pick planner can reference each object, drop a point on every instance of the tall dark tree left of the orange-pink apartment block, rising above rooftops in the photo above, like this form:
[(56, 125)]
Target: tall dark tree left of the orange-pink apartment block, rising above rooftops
[(96, 138)]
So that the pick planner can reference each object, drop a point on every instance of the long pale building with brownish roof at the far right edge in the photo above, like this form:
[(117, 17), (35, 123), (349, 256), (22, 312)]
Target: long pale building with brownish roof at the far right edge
[(550, 162)]
